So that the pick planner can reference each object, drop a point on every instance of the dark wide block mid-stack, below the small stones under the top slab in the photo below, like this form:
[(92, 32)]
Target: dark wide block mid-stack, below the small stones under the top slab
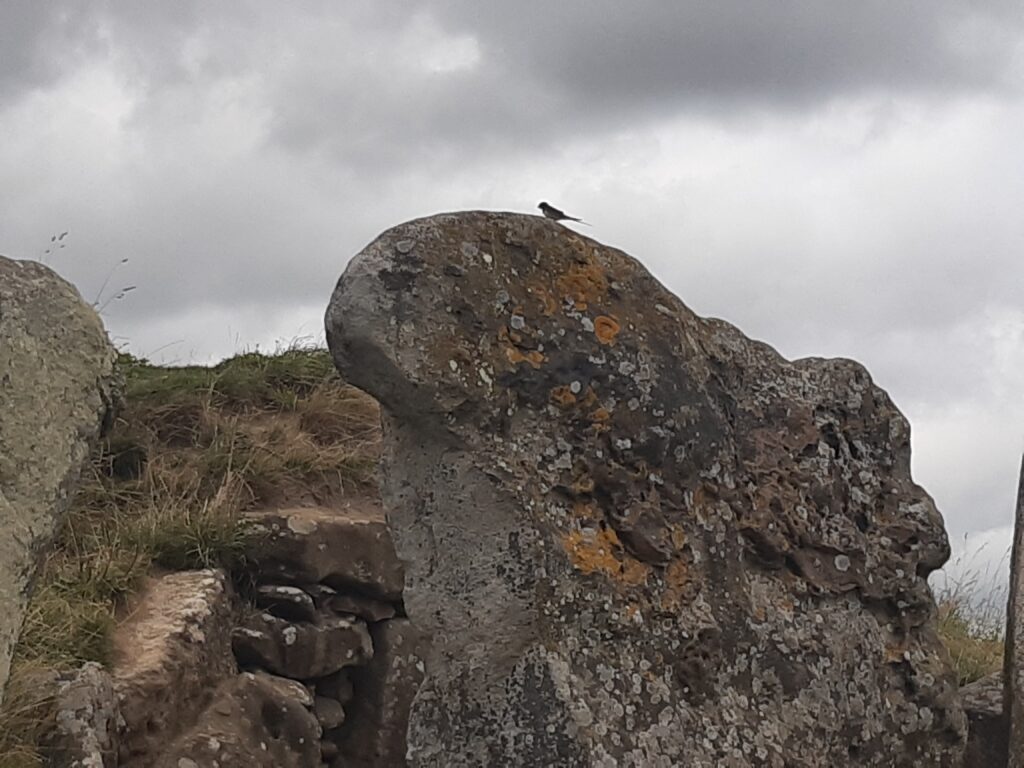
[(302, 650)]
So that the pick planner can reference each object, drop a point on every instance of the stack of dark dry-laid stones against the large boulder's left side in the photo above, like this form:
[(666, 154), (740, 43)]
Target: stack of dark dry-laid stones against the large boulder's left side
[(328, 589)]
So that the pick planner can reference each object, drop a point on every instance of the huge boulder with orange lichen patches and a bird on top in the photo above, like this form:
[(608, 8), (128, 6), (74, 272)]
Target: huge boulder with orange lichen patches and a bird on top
[(634, 536)]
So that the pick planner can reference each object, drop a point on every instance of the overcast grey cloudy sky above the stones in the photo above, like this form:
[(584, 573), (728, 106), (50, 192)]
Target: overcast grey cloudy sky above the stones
[(835, 179)]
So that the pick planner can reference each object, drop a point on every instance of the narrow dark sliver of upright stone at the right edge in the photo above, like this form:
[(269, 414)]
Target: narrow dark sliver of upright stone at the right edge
[(1014, 664)]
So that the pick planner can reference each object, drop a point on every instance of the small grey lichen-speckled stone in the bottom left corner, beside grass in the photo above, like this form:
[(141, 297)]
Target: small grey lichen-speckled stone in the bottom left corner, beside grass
[(86, 734)]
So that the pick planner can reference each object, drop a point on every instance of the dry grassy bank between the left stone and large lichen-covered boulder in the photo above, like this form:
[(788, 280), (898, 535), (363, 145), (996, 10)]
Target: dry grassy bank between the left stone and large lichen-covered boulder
[(193, 450)]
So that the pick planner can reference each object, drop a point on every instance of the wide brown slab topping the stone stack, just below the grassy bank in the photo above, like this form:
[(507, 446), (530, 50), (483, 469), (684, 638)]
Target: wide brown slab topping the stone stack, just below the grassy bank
[(345, 547)]
